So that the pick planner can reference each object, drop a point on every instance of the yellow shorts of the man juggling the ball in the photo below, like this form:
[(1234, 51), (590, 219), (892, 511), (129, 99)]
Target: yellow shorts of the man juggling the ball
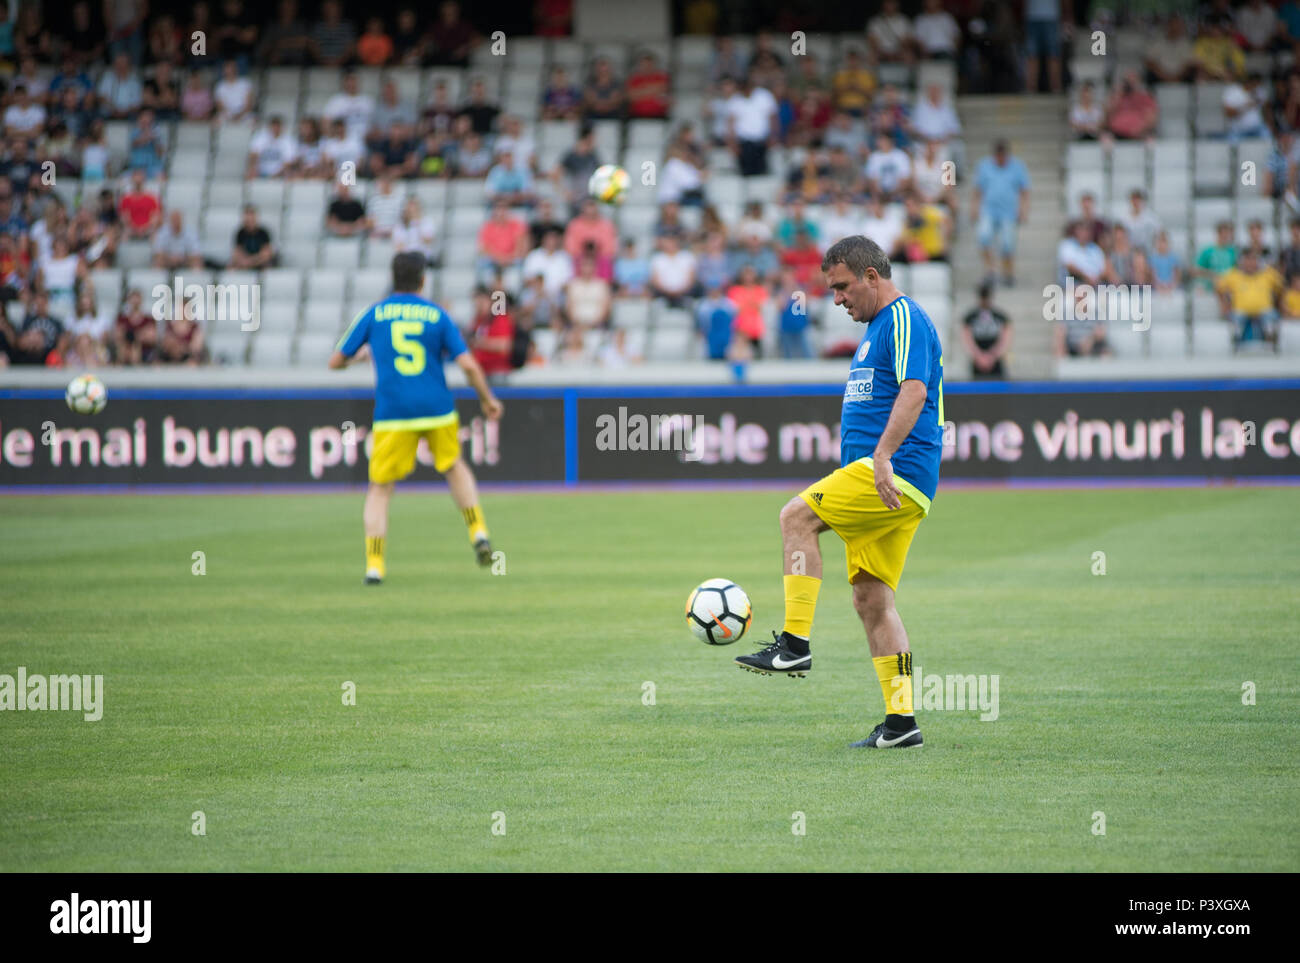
[(876, 539)]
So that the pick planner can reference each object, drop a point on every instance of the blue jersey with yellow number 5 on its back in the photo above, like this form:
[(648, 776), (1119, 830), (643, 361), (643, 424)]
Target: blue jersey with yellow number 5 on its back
[(410, 339)]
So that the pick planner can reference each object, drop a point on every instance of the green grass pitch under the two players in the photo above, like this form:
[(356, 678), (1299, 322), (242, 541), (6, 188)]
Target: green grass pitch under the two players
[(523, 693)]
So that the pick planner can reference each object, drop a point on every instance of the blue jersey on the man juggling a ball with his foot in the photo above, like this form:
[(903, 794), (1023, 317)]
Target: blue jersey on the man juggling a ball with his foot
[(900, 345)]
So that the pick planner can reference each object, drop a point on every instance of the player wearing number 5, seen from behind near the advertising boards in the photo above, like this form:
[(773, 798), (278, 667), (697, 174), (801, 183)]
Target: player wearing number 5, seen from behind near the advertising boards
[(409, 339)]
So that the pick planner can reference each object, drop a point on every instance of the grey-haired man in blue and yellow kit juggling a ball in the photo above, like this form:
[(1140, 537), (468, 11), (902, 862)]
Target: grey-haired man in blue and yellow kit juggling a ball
[(892, 428)]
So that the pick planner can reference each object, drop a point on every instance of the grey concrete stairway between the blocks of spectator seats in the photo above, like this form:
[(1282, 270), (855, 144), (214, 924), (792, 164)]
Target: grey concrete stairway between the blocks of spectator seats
[(1038, 131)]
